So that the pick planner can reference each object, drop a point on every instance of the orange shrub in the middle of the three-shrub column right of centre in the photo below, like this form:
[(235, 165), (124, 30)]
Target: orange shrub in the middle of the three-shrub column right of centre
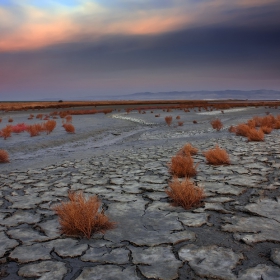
[(182, 166)]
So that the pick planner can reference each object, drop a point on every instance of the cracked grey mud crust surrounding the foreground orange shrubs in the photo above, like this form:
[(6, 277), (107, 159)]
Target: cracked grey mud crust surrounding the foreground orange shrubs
[(234, 235)]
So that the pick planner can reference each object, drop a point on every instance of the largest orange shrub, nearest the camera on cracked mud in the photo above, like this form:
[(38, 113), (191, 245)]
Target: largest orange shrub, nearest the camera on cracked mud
[(80, 216)]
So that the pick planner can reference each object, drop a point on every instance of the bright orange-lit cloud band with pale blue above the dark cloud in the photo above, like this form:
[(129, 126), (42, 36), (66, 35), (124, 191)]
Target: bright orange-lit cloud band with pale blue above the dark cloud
[(30, 26)]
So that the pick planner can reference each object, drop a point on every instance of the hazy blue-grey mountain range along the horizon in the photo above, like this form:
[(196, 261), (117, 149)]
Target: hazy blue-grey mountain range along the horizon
[(187, 95)]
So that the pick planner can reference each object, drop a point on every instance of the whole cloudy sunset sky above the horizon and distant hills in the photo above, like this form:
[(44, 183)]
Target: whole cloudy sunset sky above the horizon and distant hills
[(70, 49)]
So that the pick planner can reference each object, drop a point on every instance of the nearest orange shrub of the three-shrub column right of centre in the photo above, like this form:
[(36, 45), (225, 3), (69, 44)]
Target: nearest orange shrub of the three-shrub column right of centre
[(185, 193)]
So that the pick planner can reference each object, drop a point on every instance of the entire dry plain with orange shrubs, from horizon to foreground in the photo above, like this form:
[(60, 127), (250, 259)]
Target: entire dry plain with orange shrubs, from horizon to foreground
[(123, 190)]
